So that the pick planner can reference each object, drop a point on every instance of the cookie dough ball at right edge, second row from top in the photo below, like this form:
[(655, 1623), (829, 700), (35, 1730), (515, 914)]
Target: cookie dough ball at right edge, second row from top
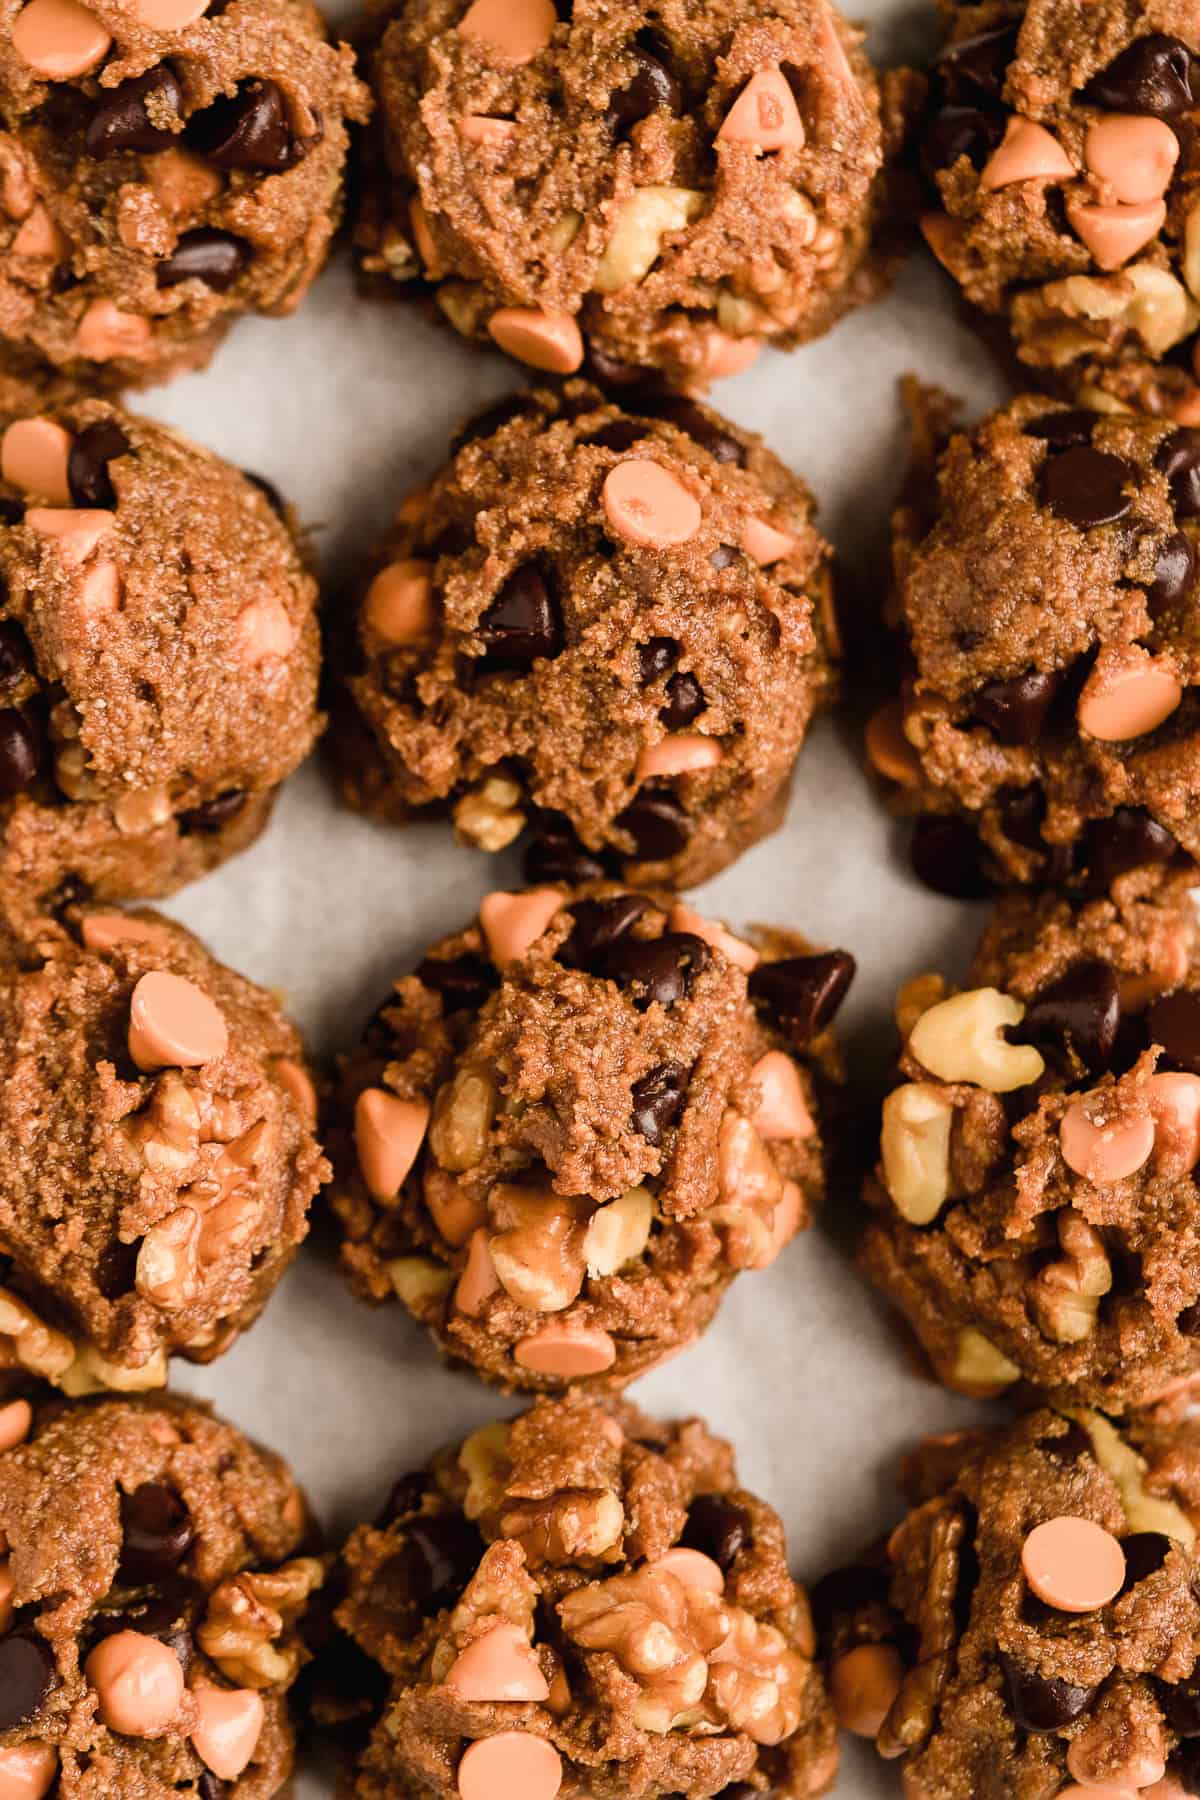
[(1050, 600)]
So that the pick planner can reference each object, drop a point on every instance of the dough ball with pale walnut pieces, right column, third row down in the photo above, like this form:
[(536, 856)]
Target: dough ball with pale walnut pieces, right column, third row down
[(1082, 1282)]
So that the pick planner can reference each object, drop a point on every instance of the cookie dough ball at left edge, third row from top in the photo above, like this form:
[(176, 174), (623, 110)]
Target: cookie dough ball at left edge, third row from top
[(157, 1153)]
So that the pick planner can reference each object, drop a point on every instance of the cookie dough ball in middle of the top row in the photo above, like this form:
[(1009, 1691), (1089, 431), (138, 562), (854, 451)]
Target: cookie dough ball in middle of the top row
[(665, 188)]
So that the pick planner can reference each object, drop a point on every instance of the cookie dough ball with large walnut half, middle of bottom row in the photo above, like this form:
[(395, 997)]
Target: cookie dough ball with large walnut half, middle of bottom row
[(586, 1599)]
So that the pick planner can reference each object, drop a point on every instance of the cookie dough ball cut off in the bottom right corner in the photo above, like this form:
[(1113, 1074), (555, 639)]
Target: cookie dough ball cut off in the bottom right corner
[(1032, 1626)]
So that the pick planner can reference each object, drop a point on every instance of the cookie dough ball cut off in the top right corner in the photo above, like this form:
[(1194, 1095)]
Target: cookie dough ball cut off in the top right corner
[(1064, 161)]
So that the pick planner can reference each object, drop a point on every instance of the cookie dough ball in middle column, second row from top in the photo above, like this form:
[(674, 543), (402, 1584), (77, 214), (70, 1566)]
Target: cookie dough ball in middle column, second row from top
[(607, 624)]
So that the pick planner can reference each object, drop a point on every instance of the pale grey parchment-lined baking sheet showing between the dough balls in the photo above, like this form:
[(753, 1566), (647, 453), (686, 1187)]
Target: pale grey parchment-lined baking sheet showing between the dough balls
[(345, 408)]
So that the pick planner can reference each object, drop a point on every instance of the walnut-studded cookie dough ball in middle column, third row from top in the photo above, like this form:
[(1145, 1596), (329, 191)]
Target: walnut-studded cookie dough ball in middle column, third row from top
[(577, 1122)]
